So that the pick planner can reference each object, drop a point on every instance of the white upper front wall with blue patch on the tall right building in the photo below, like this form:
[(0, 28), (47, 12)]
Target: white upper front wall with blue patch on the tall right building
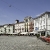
[(40, 23)]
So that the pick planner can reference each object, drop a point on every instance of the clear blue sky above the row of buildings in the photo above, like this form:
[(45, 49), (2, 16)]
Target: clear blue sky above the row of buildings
[(10, 10)]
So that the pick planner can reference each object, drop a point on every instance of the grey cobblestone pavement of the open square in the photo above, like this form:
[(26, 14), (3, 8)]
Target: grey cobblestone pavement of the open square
[(22, 43)]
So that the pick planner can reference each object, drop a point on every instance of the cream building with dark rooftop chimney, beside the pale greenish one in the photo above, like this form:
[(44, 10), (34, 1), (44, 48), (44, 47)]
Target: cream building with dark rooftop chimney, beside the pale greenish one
[(19, 27)]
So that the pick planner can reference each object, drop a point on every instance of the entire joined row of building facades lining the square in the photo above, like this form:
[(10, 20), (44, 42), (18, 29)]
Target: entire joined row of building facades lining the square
[(40, 24)]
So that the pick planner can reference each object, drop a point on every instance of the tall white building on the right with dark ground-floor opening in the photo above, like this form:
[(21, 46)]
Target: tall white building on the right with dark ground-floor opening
[(42, 23)]
